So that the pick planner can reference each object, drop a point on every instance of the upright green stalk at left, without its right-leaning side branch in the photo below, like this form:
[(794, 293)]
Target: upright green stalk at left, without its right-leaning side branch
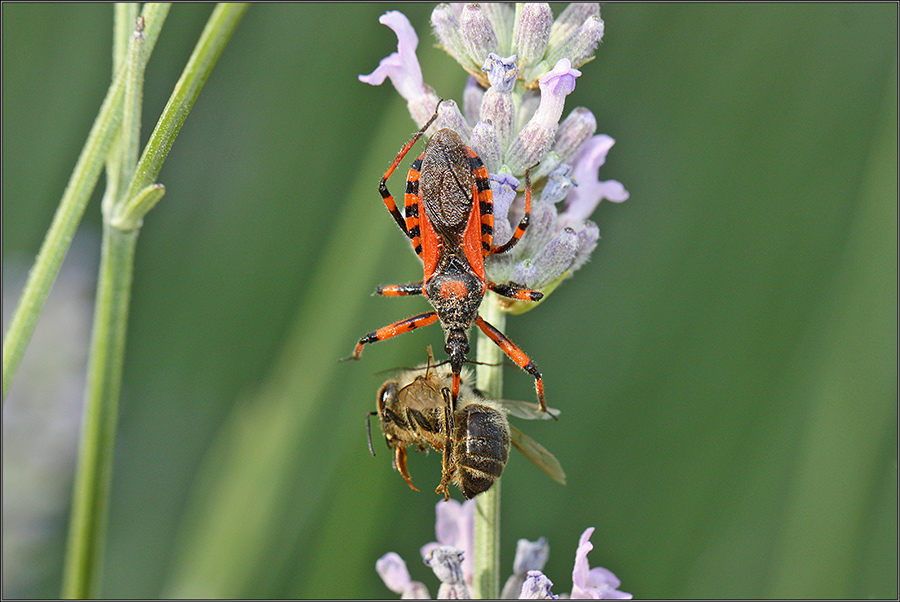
[(92, 480)]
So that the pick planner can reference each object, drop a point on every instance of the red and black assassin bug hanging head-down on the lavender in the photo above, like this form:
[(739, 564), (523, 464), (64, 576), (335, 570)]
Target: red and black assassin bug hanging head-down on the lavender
[(450, 223)]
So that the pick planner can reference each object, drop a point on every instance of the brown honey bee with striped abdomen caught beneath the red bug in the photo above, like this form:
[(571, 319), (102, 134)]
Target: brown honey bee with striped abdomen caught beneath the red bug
[(474, 439)]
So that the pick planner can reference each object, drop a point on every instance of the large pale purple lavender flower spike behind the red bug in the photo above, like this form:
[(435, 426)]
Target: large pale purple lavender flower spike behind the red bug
[(523, 64)]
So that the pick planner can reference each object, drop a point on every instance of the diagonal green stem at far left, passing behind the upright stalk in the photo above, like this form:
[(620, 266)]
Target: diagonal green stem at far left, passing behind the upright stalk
[(71, 207)]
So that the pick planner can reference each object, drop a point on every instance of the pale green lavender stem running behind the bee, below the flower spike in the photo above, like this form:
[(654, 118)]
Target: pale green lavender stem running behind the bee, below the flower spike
[(489, 379)]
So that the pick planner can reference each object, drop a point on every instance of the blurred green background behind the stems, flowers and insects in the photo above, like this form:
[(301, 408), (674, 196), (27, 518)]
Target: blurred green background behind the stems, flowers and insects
[(726, 364)]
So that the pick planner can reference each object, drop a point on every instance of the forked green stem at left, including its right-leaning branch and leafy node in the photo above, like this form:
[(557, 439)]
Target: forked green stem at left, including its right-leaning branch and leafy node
[(122, 220)]
